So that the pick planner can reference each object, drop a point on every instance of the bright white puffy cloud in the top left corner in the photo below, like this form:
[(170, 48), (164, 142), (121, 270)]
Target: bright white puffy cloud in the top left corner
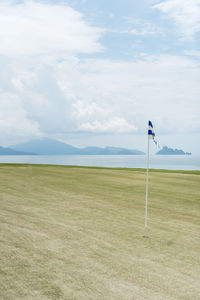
[(31, 28)]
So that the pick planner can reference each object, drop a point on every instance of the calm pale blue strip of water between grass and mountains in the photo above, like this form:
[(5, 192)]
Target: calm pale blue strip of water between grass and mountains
[(172, 162)]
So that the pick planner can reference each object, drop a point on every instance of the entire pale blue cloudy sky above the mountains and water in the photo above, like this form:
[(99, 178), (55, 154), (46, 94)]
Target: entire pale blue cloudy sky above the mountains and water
[(93, 72)]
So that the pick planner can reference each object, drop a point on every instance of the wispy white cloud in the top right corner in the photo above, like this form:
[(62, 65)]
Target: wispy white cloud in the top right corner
[(185, 14)]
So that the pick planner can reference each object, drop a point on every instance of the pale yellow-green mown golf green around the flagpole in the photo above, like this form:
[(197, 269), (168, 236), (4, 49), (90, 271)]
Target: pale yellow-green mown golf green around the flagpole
[(77, 233)]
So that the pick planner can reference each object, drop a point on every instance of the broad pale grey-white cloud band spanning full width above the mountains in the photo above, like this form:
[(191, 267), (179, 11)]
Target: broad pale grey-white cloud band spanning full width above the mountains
[(59, 97)]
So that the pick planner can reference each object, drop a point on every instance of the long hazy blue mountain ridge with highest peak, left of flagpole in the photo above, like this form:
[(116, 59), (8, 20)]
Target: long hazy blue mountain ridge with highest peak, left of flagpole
[(48, 146)]
